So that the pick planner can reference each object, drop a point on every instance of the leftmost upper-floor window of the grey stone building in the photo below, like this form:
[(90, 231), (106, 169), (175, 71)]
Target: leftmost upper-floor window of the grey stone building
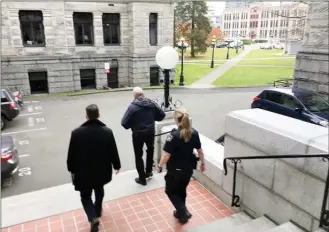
[(32, 28)]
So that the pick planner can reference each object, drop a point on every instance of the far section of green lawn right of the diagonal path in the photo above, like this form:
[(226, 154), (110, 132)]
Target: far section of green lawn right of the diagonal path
[(275, 56)]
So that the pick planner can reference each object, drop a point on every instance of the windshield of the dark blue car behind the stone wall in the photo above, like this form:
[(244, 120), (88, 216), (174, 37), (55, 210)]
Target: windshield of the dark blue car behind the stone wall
[(314, 103)]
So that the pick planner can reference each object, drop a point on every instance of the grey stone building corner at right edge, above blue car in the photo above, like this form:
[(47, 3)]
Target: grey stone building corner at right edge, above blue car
[(312, 65)]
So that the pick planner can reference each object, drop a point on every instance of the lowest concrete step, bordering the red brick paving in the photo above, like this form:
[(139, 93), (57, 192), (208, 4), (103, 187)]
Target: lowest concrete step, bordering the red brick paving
[(225, 224)]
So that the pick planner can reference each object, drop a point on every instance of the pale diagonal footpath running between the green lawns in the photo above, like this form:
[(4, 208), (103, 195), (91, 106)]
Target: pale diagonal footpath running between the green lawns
[(206, 82)]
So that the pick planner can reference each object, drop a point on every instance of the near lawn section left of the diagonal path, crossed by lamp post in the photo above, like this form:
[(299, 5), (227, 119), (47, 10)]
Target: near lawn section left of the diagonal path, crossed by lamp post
[(193, 72)]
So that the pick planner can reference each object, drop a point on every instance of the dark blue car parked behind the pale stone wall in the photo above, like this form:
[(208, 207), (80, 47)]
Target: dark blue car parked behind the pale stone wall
[(300, 104)]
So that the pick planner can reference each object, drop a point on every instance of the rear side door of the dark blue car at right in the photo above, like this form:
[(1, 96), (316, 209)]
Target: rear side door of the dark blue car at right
[(271, 101)]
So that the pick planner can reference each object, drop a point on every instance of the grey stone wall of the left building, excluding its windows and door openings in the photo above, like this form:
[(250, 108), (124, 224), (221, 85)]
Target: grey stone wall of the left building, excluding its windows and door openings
[(62, 58)]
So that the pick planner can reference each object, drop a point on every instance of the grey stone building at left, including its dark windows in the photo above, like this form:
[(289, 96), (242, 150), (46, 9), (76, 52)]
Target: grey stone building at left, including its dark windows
[(62, 46)]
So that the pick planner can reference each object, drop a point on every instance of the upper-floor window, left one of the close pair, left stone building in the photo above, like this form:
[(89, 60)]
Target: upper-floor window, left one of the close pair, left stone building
[(83, 28)]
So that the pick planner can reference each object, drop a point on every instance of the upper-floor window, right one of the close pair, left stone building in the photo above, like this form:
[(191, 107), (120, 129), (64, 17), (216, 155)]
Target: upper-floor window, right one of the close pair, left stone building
[(111, 28)]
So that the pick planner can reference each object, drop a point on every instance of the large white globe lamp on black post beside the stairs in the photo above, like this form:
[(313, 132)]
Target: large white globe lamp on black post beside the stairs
[(167, 59)]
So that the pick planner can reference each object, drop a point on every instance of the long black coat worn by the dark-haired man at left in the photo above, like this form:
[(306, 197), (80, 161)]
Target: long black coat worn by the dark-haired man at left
[(92, 154)]
